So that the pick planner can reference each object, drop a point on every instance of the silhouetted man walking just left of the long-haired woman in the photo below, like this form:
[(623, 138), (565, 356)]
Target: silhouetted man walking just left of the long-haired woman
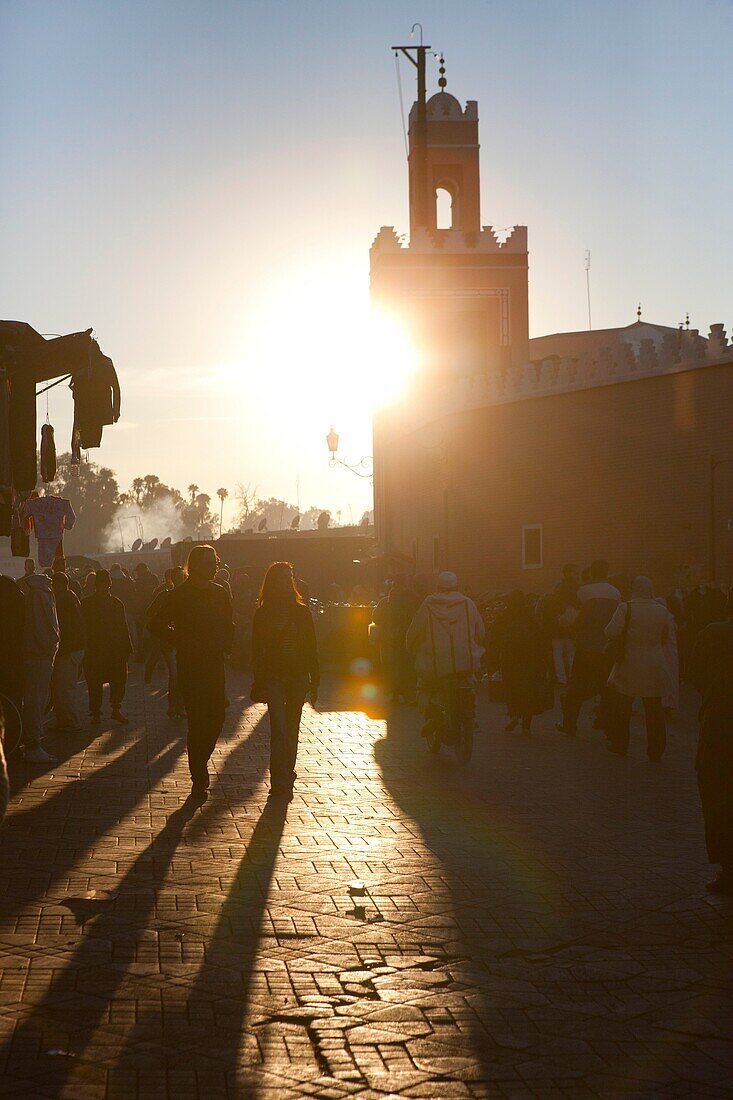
[(198, 619)]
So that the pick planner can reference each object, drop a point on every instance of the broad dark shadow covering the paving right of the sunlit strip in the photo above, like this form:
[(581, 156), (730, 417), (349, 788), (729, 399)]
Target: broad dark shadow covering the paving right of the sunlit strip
[(581, 939)]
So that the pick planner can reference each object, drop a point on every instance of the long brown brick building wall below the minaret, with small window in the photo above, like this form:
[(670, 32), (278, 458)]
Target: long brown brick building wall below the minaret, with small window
[(620, 472)]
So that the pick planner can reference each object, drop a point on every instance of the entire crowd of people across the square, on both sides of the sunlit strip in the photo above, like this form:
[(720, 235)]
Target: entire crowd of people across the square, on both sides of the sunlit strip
[(587, 640)]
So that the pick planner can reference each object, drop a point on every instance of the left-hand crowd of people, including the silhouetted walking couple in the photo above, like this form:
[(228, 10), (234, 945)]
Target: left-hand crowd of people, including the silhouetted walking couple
[(59, 626)]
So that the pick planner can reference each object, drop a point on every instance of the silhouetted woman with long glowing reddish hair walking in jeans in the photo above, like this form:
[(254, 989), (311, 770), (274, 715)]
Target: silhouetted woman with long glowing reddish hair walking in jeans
[(286, 667)]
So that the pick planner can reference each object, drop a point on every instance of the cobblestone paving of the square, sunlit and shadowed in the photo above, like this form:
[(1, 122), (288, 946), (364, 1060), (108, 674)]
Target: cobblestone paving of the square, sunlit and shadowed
[(537, 922)]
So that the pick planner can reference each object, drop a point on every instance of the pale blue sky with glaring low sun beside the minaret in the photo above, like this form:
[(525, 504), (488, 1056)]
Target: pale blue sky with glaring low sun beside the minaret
[(201, 182)]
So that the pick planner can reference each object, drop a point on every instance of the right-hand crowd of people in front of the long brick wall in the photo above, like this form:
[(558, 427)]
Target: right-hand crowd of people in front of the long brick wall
[(587, 640)]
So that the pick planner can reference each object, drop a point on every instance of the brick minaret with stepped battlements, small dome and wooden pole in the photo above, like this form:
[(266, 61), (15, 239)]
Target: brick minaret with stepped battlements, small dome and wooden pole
[(461, 288)]
